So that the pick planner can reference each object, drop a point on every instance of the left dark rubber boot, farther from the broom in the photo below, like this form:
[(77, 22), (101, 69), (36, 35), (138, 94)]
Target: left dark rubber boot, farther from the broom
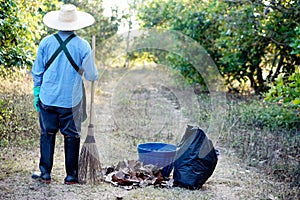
[(47, 146)]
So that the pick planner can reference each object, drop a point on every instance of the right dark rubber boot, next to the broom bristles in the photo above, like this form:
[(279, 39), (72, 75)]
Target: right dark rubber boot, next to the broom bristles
[(72, 145)]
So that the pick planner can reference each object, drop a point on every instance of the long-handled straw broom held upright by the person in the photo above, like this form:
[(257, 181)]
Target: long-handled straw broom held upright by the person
[(89, 166)]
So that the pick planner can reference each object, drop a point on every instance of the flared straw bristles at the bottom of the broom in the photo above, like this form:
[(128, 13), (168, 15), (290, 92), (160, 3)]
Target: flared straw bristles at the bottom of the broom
[(89, 169)]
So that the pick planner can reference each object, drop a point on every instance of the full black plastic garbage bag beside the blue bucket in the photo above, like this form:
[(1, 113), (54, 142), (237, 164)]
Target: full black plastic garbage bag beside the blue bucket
[(195, 160)]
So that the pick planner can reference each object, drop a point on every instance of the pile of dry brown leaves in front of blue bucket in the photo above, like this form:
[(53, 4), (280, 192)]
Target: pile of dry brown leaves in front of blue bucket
[(131, 174)]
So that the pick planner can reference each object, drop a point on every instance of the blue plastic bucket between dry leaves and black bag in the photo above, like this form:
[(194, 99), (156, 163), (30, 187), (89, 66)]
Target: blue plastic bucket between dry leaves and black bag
[(158, 154)]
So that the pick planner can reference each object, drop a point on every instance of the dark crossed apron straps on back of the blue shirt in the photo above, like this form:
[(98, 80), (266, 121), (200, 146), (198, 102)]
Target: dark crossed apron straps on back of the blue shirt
[(63, 47)]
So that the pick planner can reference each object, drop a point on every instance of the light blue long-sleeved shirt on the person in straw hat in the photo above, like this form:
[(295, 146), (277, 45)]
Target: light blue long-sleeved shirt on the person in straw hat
[(61, 84)]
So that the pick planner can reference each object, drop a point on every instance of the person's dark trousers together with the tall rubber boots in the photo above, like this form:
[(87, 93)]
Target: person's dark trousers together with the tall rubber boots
[(68, 121)]
